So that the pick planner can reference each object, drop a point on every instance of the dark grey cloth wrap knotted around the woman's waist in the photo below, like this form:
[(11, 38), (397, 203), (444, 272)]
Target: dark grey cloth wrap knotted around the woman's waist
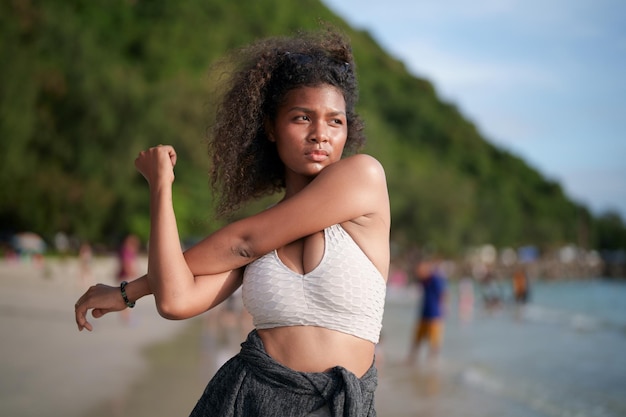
[(253, 384)]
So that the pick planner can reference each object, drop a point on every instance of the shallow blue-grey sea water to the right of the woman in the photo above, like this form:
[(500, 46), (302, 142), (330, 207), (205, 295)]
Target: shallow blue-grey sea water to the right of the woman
[(563, 354)]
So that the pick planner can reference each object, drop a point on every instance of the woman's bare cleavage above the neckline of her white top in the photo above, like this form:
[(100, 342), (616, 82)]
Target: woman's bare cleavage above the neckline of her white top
[(303, 255)]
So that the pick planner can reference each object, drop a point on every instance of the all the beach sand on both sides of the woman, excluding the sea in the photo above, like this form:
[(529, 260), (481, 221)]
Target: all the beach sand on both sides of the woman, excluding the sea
[(154, 367)]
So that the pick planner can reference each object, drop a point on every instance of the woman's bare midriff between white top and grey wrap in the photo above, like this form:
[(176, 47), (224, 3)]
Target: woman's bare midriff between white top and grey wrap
[(316, 349)]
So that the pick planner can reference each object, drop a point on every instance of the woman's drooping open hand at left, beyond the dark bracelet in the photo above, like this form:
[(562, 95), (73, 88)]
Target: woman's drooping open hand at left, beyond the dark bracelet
[(102, 299)]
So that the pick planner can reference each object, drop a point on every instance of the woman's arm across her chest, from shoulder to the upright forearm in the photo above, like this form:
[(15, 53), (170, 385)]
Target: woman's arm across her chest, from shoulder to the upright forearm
[(353, 189)]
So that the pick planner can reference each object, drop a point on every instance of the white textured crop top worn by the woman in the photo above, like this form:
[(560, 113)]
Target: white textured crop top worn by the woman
[(345, 292)]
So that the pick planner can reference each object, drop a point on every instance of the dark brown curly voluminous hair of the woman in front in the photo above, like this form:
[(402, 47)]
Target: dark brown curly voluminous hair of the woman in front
[(245, 164)]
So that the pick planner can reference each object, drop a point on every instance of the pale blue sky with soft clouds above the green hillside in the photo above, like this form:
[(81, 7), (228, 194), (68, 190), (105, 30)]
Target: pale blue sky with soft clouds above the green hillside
[(542, 79)]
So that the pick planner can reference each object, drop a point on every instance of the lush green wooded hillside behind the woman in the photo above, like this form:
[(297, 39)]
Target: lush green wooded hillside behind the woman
[(87, 84)]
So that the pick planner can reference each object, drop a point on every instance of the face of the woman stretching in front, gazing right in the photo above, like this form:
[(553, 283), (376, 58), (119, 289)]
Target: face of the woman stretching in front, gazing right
[(310, 130)]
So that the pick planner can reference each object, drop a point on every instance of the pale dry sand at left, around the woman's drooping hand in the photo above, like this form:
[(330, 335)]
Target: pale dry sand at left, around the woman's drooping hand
[(48, 368)]
